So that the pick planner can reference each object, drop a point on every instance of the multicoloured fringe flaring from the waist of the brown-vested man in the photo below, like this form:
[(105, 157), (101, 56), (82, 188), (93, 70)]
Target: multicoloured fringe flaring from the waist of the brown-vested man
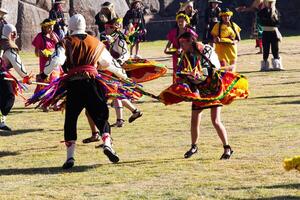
[(55, 93)]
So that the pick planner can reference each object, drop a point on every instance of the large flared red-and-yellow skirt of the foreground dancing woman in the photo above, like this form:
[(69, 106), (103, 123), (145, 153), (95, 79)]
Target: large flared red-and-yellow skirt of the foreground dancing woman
[(221, 89)]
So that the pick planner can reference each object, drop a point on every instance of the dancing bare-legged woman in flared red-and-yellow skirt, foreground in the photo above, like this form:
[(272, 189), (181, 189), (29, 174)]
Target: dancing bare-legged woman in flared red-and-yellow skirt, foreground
[(201, 82)]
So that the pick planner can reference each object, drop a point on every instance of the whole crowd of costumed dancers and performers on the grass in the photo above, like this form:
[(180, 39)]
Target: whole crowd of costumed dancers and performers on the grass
[(75, 62)]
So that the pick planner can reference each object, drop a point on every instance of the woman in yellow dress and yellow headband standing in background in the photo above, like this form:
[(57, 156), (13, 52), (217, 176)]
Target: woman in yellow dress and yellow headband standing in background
[(226, 36)]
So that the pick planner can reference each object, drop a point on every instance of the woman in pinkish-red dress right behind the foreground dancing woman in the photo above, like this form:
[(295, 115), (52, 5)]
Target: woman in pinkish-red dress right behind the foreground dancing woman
[(183, 22)]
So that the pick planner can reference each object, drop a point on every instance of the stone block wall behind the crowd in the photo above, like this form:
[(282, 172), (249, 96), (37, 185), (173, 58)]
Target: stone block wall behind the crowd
[(28, 14)]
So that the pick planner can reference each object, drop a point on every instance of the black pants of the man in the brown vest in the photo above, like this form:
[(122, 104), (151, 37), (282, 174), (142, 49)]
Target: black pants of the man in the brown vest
[(85, 94)]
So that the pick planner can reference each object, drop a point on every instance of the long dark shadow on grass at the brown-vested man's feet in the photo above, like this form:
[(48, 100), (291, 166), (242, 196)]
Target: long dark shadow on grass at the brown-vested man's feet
[(46, 170)]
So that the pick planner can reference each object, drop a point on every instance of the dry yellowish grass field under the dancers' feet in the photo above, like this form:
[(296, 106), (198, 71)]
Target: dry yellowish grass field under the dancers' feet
[(263, 130)]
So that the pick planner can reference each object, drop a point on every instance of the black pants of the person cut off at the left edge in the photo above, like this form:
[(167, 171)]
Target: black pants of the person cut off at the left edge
[(7, 97)]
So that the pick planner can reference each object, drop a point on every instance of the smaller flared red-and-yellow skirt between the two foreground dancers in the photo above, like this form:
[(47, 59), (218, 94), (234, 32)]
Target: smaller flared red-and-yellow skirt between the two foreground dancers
[(142, 70)]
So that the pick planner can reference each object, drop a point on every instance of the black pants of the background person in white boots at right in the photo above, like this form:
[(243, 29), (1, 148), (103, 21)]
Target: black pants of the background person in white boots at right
[(270, 40)]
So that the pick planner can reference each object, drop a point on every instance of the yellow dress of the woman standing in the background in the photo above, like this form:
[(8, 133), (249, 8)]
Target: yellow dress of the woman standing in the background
[(226, 51)]
